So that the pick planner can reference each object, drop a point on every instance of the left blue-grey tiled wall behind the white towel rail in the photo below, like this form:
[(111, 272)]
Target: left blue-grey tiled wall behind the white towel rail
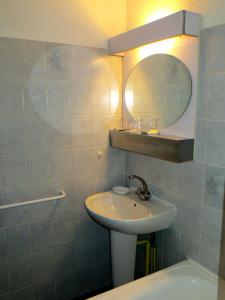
[(57, 103)]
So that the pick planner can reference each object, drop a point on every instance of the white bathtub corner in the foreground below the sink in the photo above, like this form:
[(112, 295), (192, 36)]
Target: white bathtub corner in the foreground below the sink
[(184, 281)]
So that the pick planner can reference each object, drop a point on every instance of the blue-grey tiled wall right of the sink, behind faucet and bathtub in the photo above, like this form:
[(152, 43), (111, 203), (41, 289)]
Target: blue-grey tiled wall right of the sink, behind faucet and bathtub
[(196, 188)]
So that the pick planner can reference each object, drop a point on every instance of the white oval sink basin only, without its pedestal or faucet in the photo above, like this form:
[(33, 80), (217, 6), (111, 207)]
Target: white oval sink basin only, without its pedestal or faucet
[(128, 214)]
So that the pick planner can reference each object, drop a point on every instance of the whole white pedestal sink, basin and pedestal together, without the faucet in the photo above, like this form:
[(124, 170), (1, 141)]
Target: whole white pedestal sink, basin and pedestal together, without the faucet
[(126, 216)]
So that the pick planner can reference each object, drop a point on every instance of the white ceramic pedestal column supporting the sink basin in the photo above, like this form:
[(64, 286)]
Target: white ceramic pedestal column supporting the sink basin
[(123, 252)]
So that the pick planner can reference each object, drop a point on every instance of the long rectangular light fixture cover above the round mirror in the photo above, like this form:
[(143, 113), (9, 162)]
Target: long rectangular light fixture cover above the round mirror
[(180, 23)]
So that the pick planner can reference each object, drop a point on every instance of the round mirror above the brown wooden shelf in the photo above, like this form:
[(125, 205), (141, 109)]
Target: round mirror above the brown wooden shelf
[(158, 89)]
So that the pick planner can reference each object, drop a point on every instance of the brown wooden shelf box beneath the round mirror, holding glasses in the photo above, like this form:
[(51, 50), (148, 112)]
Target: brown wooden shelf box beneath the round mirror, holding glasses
[(170, 148)]
